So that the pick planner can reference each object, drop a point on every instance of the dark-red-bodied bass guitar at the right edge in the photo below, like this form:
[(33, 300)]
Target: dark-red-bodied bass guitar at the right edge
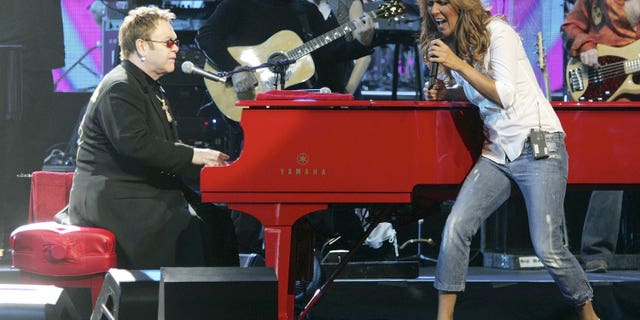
[(613, 78)]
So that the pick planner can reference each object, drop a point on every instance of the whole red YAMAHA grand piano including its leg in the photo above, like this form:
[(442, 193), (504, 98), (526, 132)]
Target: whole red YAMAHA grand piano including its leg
[(301, 155)]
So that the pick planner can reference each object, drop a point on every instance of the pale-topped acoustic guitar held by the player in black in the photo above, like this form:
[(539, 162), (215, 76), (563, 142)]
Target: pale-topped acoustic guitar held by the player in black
[(284, 45)]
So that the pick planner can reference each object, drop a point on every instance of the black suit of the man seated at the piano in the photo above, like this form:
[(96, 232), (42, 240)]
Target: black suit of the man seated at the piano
[(129, 169)]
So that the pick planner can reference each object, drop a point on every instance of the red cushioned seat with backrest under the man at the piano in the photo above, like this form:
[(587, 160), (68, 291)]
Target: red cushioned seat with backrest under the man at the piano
[(50, 253)]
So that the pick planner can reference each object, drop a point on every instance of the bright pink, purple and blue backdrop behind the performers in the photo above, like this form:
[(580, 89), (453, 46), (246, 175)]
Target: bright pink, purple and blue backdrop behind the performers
[(84, 56)]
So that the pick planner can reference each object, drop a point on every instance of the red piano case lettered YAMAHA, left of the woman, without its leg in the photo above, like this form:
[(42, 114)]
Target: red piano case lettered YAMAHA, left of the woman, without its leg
[(347, 154)]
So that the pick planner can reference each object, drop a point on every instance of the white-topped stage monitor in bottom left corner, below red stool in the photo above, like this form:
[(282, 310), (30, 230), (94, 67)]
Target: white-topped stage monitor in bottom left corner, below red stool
[(33, 302)]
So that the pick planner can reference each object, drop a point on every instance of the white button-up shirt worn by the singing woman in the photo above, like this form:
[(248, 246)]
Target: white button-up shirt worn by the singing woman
[(524, 106)]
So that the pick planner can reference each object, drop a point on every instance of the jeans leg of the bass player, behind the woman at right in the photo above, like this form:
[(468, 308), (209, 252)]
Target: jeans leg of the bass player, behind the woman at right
[(601, 225)]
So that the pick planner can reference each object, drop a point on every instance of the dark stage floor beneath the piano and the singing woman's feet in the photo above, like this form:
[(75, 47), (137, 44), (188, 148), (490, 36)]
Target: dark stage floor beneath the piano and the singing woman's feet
[(491, 294)]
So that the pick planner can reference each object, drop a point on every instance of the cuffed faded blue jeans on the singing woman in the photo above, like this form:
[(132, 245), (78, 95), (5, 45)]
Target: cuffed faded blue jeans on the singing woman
[(543, 184)]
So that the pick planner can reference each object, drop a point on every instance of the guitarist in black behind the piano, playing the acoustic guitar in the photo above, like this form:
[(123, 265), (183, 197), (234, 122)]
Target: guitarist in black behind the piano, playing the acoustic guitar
[(251, 22)]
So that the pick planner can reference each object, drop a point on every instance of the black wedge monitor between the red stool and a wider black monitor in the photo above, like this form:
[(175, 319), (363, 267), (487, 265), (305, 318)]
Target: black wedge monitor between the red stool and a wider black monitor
[(128, 295)]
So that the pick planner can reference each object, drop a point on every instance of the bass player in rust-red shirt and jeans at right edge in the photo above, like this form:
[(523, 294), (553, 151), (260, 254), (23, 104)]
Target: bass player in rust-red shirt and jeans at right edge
[(612, 23)]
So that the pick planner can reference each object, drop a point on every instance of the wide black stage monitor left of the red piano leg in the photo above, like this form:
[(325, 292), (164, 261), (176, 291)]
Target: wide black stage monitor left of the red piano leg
[(219, 293)]
